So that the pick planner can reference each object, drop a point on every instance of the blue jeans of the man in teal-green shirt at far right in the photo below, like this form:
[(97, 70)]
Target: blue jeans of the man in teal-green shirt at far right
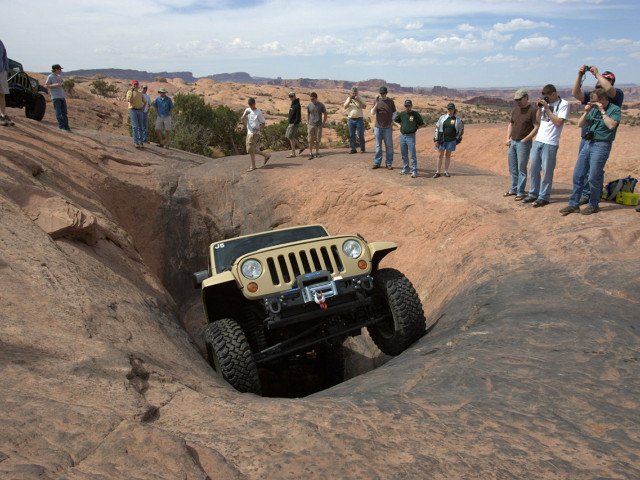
[(590, 165)]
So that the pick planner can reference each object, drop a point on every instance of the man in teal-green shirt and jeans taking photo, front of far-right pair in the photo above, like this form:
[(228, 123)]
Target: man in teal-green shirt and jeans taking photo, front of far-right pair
[(601, 118)]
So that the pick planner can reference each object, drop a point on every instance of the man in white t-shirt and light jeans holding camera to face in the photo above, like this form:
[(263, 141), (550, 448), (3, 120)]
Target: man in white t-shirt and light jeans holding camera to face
[(552, 112)]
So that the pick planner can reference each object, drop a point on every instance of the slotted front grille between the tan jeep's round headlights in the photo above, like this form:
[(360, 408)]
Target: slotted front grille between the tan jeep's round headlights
[(285, 268)]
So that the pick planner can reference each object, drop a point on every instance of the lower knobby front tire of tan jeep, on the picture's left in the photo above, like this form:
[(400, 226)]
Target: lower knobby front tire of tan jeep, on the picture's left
[(230, 355)]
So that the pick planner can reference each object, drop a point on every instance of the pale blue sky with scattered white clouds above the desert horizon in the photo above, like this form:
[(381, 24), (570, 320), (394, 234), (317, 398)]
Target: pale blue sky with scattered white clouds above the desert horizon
[(460, 43)]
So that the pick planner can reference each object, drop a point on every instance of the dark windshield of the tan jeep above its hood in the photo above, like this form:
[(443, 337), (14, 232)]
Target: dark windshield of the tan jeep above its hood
[(227, 251)]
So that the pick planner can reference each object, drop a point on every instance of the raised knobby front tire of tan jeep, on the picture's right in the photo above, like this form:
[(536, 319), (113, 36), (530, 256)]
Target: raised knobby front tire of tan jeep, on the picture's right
[(398, 301)]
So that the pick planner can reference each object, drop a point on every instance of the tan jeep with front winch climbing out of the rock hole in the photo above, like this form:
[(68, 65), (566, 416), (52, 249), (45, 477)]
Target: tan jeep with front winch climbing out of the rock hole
[(285, 292)]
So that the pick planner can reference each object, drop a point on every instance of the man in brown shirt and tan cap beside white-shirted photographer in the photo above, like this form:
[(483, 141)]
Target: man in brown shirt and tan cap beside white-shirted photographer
[(521, 130)]
